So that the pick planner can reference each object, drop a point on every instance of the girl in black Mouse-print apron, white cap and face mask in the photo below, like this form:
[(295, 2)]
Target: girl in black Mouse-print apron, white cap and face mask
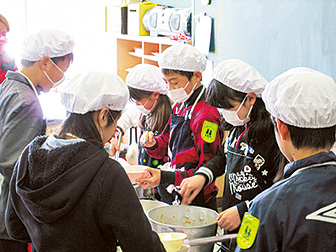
[(250, 156)]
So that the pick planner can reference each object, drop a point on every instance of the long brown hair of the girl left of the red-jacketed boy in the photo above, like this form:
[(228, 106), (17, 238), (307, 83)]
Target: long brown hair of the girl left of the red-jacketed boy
[(159, 116)]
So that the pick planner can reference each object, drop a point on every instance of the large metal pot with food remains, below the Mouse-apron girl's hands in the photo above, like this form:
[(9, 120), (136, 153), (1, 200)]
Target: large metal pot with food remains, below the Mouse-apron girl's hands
[(194, 221)]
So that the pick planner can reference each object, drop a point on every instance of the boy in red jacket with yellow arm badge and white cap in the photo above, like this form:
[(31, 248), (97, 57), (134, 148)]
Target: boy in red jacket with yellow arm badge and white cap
[(191, 137)]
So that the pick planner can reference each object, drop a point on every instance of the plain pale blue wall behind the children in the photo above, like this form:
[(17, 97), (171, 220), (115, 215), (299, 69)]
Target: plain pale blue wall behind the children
[(274, 35)]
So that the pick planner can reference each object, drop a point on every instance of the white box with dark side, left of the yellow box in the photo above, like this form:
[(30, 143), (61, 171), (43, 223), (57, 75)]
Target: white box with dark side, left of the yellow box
[(116, 19)]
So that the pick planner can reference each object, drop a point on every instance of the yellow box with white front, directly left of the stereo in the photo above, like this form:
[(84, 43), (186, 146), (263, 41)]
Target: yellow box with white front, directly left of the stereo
[(135, 13)]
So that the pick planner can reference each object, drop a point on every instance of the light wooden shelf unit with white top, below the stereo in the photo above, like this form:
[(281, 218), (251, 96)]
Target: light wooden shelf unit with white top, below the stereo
[(128, 58)]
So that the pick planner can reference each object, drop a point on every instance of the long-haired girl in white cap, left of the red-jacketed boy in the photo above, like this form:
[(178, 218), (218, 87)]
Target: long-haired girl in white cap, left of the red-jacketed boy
[(149, 93)]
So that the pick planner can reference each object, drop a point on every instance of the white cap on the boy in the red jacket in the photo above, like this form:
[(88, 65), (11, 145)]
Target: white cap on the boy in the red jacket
[(182, 57)]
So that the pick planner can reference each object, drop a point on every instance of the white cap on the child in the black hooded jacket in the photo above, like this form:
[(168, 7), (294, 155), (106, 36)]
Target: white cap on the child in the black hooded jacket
[(93, 91)]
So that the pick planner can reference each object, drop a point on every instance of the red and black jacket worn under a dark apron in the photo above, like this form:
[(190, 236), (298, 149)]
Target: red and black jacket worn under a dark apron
[(201, 153)]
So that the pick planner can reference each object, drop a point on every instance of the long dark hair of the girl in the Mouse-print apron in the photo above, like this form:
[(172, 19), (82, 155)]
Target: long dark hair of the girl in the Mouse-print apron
[(219, 95)]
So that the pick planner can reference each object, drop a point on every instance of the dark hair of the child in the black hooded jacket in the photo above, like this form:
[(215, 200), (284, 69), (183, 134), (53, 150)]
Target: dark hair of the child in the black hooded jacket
[(83, 126)]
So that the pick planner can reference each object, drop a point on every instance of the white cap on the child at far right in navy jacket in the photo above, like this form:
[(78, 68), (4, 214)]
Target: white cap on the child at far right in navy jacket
[(303, 98)]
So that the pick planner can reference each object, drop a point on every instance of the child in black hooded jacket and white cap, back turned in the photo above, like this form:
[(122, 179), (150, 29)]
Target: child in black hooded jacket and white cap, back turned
[(66, 193)]
